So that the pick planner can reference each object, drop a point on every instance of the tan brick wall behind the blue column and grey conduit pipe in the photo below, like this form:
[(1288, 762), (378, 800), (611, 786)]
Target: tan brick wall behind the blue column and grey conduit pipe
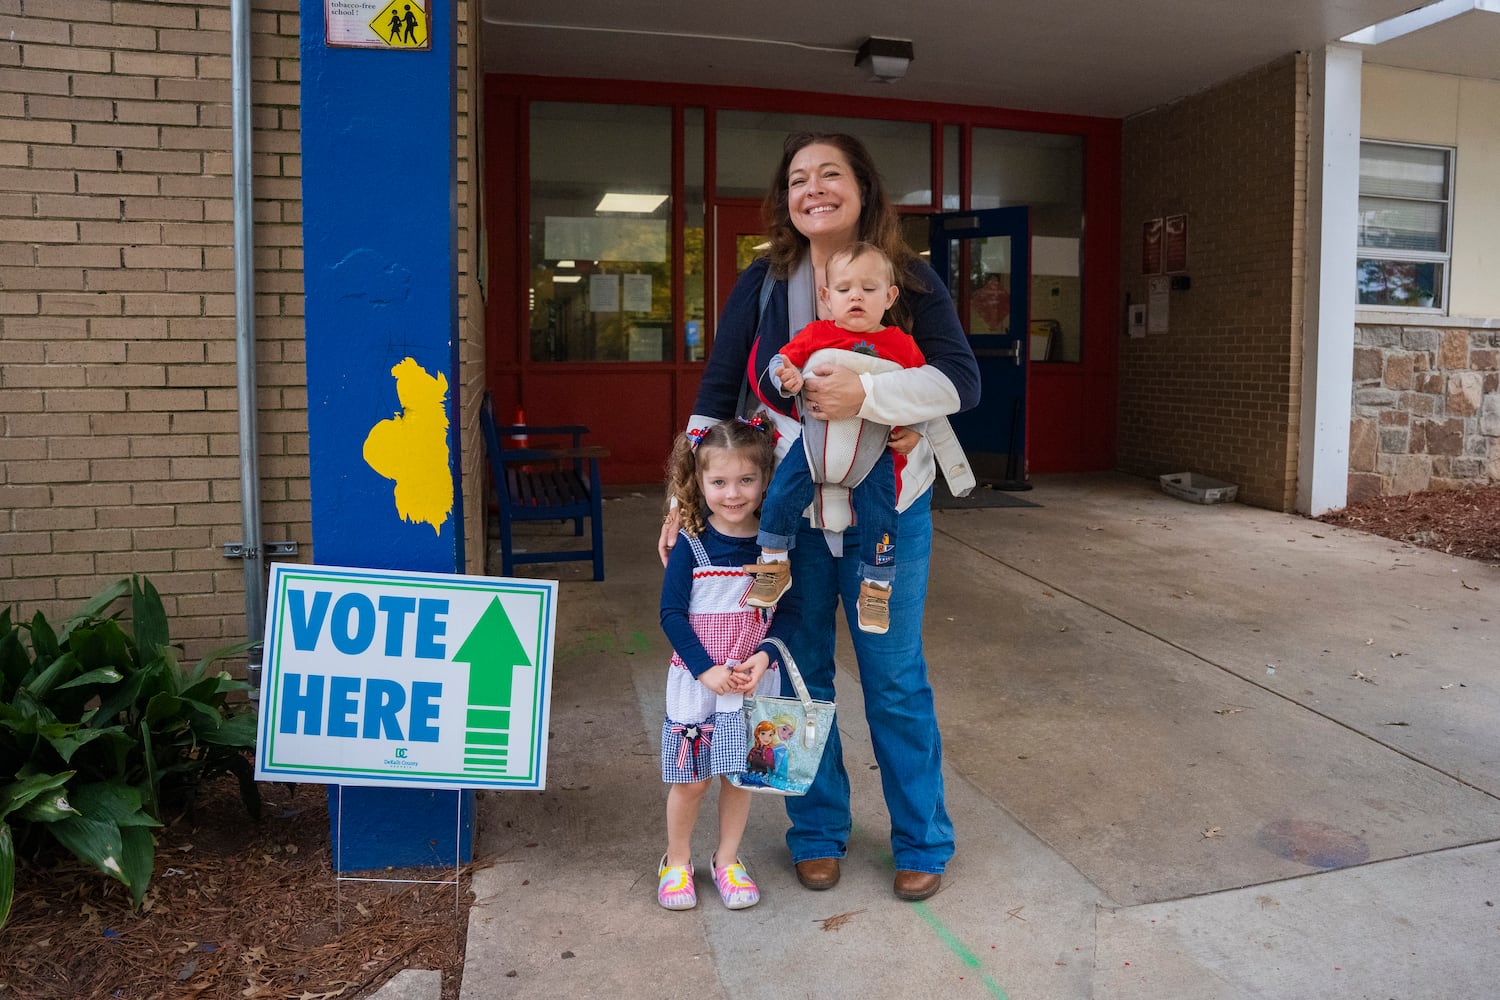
[(119, 430)]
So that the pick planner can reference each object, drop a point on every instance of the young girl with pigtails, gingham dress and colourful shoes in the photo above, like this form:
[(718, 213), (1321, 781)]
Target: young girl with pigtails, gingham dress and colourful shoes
[(716, 479)]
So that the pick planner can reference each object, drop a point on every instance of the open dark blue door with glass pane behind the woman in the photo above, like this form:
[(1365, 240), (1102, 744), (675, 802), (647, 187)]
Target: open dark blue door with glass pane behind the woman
[(985, 257)]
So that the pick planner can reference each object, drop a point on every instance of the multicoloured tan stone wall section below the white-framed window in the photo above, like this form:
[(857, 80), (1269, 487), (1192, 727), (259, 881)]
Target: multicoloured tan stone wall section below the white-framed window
[(1426, 410)]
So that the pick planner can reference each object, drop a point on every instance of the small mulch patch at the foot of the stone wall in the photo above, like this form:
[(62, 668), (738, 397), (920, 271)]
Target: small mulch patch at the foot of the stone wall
[(1459, 522)]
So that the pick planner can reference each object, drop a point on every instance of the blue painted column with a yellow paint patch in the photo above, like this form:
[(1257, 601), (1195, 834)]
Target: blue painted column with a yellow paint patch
[(380, 247)]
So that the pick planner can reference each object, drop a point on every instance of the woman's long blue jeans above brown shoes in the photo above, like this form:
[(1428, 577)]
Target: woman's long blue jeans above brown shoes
[(898, 701)]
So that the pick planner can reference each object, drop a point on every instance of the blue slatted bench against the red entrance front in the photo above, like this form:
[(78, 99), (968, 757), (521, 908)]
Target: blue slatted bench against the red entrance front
[(544, 485)]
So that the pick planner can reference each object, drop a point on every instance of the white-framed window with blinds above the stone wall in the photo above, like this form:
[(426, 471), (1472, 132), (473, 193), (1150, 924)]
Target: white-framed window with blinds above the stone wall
[(1406, 212)]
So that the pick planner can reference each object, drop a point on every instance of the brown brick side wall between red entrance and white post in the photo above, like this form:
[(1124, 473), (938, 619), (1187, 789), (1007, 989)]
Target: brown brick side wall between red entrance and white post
[(1219, 394)]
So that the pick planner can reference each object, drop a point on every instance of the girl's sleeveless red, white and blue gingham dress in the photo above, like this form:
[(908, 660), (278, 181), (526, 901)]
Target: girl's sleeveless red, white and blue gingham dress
[(698, 741)]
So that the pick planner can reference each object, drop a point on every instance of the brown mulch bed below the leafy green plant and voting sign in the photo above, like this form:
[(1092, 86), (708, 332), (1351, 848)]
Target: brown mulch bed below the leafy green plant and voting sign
[(236, 909)]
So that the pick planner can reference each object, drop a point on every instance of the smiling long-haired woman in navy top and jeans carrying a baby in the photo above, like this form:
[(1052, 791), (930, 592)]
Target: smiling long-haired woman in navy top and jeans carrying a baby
[(824, 196)]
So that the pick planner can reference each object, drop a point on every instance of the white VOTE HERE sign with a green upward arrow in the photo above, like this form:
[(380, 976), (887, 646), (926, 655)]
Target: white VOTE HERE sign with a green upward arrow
[(377, 677)]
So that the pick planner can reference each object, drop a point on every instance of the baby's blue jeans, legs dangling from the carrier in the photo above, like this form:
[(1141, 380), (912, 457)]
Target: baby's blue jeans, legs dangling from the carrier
[(793, 490)]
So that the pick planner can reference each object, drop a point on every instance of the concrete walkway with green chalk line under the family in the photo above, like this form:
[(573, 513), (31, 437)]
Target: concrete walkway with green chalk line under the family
[(1192, 753)]
